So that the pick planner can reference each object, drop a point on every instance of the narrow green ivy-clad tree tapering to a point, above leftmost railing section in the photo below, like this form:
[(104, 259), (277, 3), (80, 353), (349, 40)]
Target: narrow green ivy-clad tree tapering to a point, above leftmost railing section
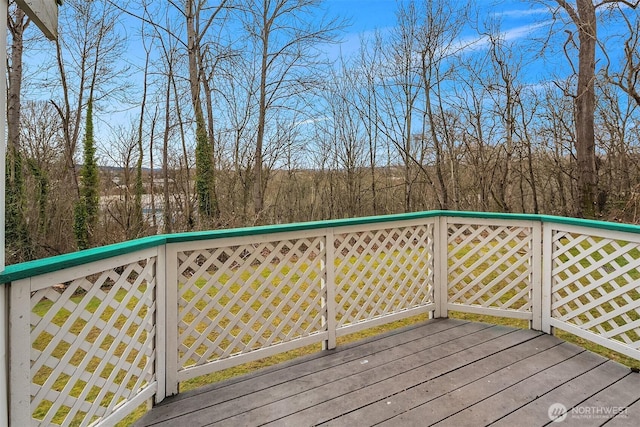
[(86, 210)]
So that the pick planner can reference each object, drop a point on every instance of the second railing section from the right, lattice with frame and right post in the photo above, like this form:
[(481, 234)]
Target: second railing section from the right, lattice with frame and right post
[(494, 267)]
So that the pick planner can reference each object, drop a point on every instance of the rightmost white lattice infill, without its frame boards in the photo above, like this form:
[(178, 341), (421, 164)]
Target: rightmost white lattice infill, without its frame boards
[(596, 285)]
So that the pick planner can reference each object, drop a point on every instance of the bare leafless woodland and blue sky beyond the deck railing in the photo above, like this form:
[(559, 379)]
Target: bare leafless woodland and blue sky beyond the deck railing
[(246, 112)]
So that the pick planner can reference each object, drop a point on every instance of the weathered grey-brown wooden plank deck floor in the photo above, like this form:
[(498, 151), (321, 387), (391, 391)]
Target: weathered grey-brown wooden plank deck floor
[(444, 372)]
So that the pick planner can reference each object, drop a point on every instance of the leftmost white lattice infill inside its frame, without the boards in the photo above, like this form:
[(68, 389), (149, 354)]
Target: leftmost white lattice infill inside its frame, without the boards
[(92, 344)]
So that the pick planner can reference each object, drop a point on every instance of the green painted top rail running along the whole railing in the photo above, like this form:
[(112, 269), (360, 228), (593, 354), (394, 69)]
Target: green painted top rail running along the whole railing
[(47, 265)]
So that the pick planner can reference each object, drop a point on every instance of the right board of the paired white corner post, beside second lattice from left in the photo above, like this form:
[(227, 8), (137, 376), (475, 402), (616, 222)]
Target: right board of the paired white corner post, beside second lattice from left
[(171, 319)]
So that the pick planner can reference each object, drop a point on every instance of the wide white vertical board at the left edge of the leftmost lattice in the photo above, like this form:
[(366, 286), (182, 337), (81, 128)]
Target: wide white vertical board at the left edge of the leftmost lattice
[(19, 353)]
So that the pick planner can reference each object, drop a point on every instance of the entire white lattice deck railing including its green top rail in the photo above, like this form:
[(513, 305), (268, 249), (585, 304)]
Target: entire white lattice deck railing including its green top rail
[(96, 334)]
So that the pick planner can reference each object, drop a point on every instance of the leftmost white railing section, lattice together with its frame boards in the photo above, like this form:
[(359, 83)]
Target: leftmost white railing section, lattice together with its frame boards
[(90, 332)]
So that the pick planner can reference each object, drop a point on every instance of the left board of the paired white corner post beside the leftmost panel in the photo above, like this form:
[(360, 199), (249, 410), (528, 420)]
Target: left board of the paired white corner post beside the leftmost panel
[(161, 324)]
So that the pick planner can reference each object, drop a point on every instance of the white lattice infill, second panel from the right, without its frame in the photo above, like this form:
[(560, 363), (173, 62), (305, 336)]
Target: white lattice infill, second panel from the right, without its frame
[(490, 266)]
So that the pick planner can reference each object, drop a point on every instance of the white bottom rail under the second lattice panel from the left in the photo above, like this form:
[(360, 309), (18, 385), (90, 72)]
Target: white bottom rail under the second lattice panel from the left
[(230, 362)]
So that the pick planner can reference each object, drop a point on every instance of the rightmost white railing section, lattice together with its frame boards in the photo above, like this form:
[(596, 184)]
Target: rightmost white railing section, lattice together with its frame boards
[(594, 278)]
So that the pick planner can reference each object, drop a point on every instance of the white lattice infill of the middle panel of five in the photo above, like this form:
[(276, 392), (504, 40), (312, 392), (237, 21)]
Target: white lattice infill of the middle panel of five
[(380, 272)]
